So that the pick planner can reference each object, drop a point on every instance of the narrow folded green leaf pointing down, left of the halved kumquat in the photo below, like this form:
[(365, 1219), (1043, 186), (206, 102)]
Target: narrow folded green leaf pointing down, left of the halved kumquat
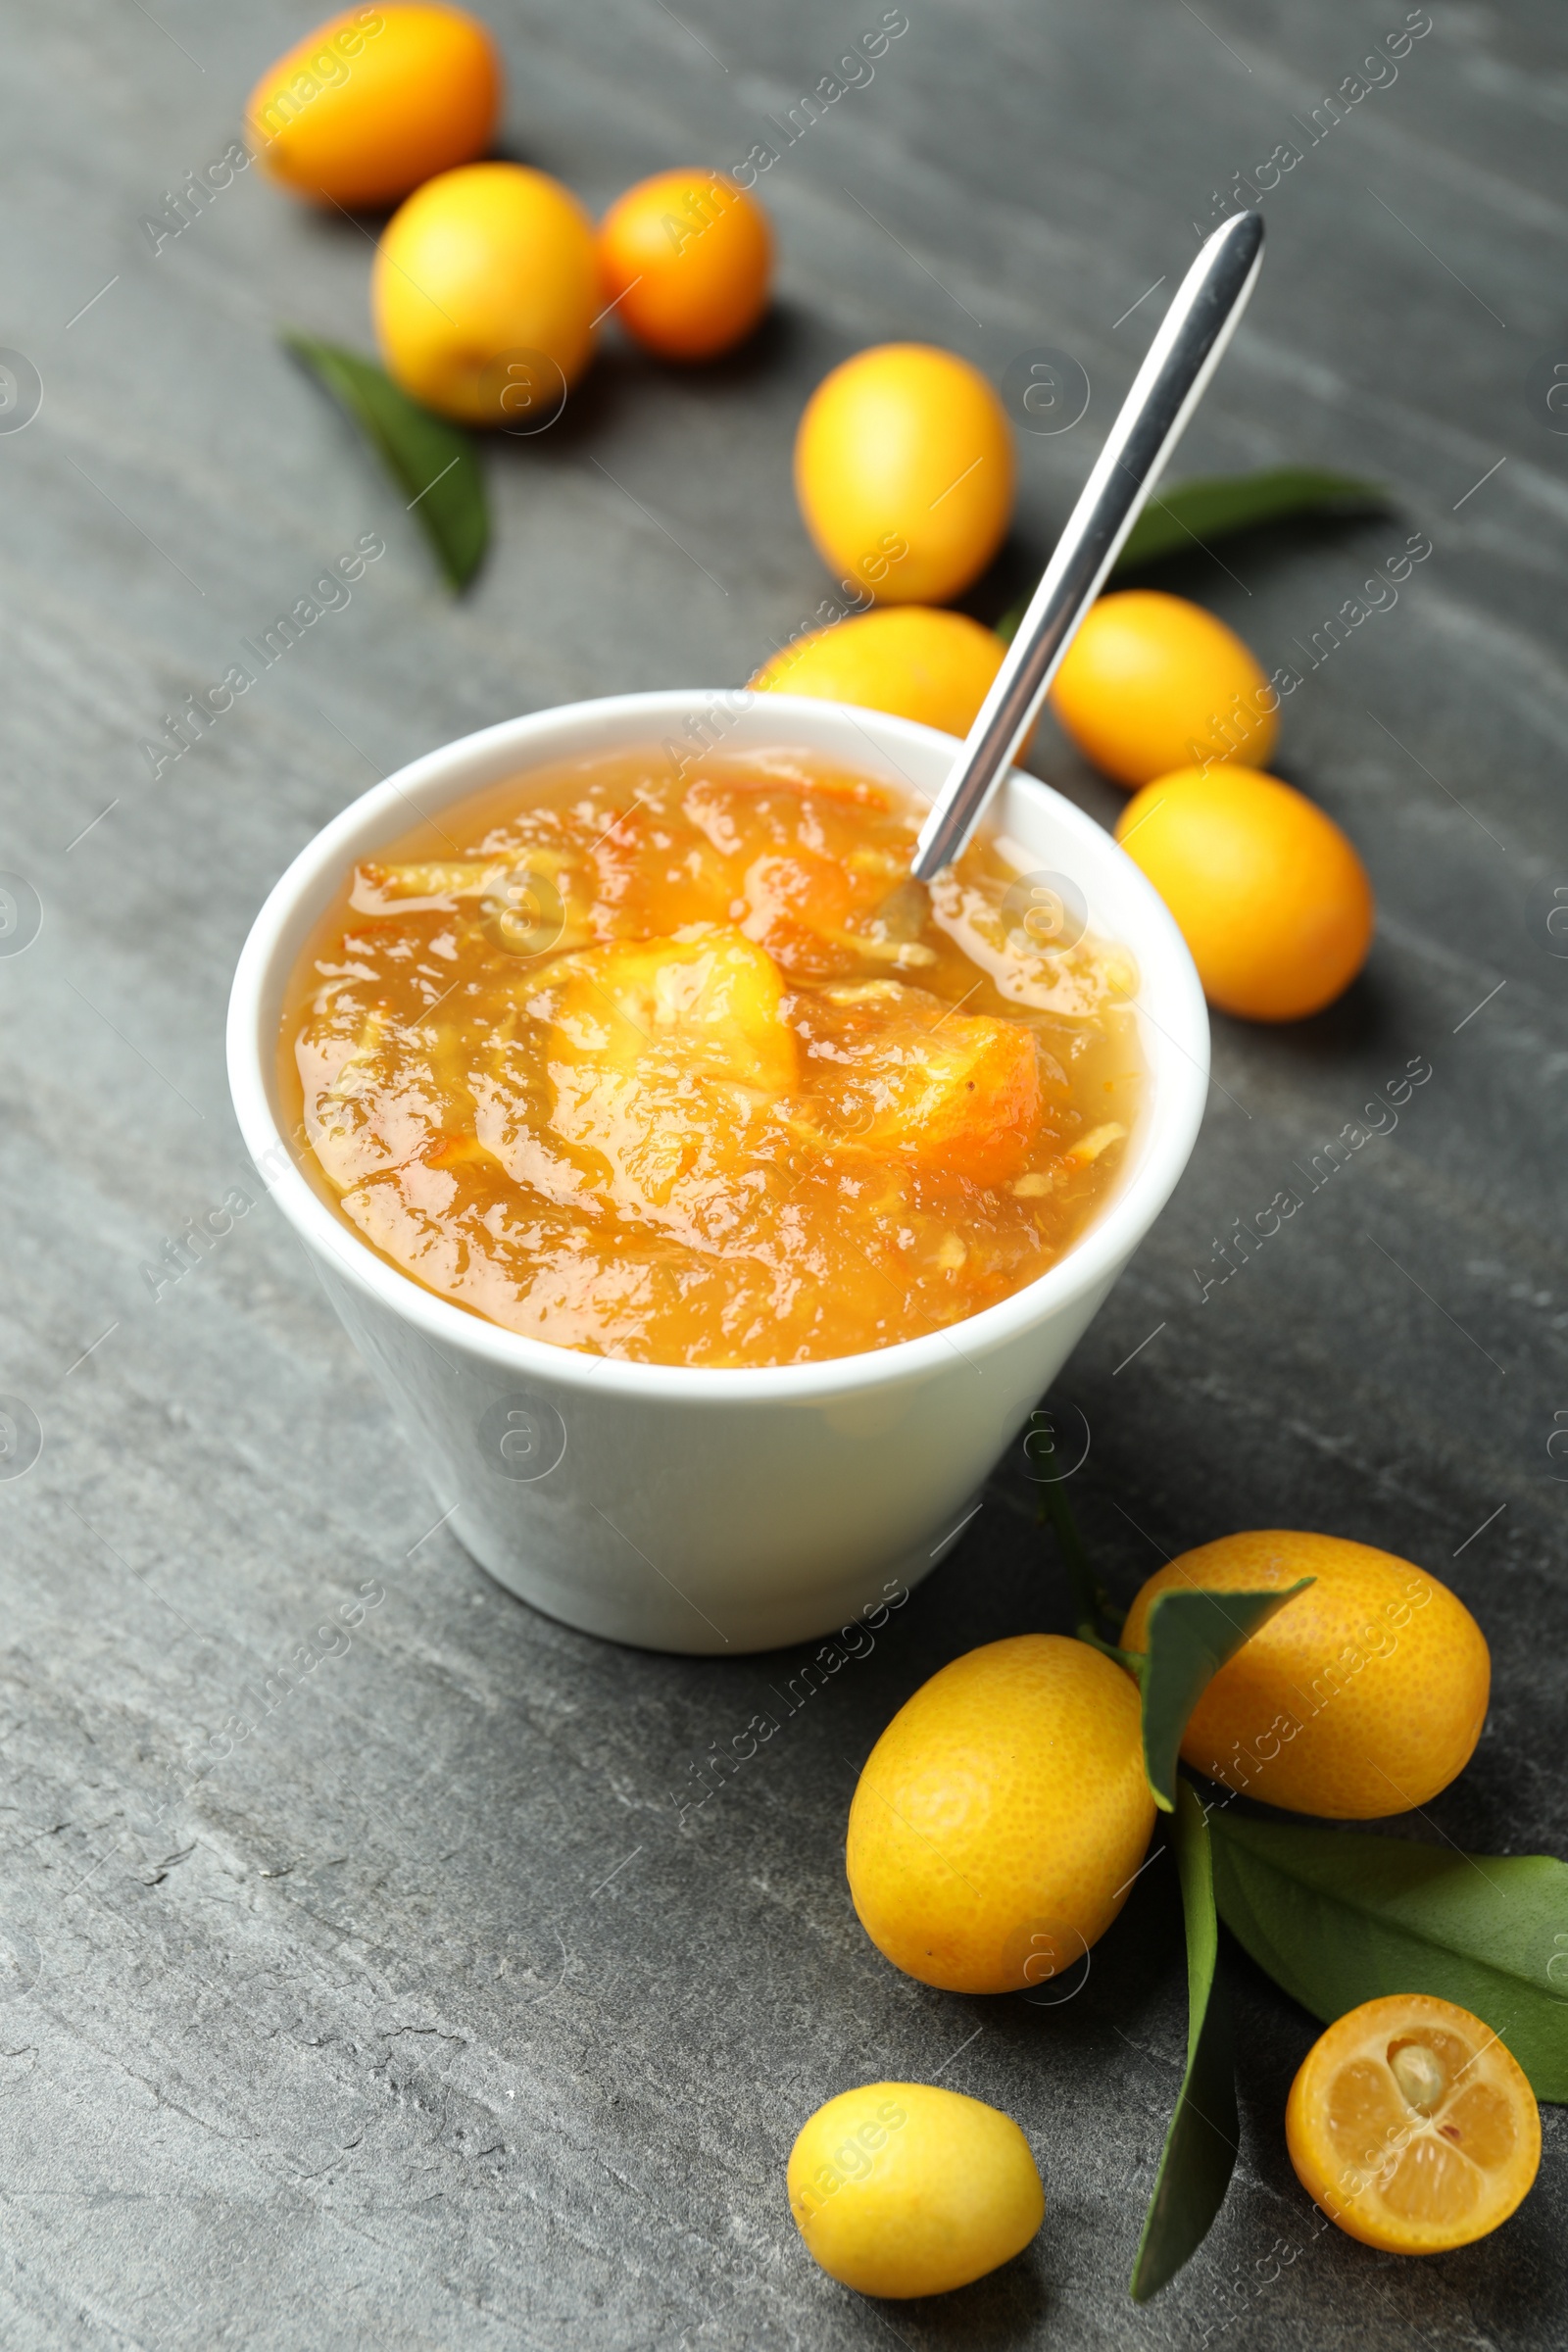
[(1205, 2132)]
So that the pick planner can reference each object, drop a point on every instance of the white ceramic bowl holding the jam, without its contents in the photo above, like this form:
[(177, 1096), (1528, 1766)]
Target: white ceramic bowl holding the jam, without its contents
[(716, 1511)]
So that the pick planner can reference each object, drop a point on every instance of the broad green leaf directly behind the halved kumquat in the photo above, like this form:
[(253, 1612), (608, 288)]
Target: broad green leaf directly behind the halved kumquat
[(1341, 1920)]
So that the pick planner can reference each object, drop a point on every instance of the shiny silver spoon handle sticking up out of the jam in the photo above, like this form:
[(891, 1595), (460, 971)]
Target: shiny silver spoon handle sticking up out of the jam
[(1165, 394)]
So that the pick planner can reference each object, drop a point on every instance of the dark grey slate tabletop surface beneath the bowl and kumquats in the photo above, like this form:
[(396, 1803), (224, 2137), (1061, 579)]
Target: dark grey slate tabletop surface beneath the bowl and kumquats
[(436, 2014)]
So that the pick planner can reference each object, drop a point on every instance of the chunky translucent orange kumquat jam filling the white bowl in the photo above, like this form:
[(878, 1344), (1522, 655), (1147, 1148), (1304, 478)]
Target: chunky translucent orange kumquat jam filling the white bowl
[(650, 1067)]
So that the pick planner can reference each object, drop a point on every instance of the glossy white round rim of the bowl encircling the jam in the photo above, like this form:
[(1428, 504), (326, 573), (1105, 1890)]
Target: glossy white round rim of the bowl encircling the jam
[(1177, 1053)]
